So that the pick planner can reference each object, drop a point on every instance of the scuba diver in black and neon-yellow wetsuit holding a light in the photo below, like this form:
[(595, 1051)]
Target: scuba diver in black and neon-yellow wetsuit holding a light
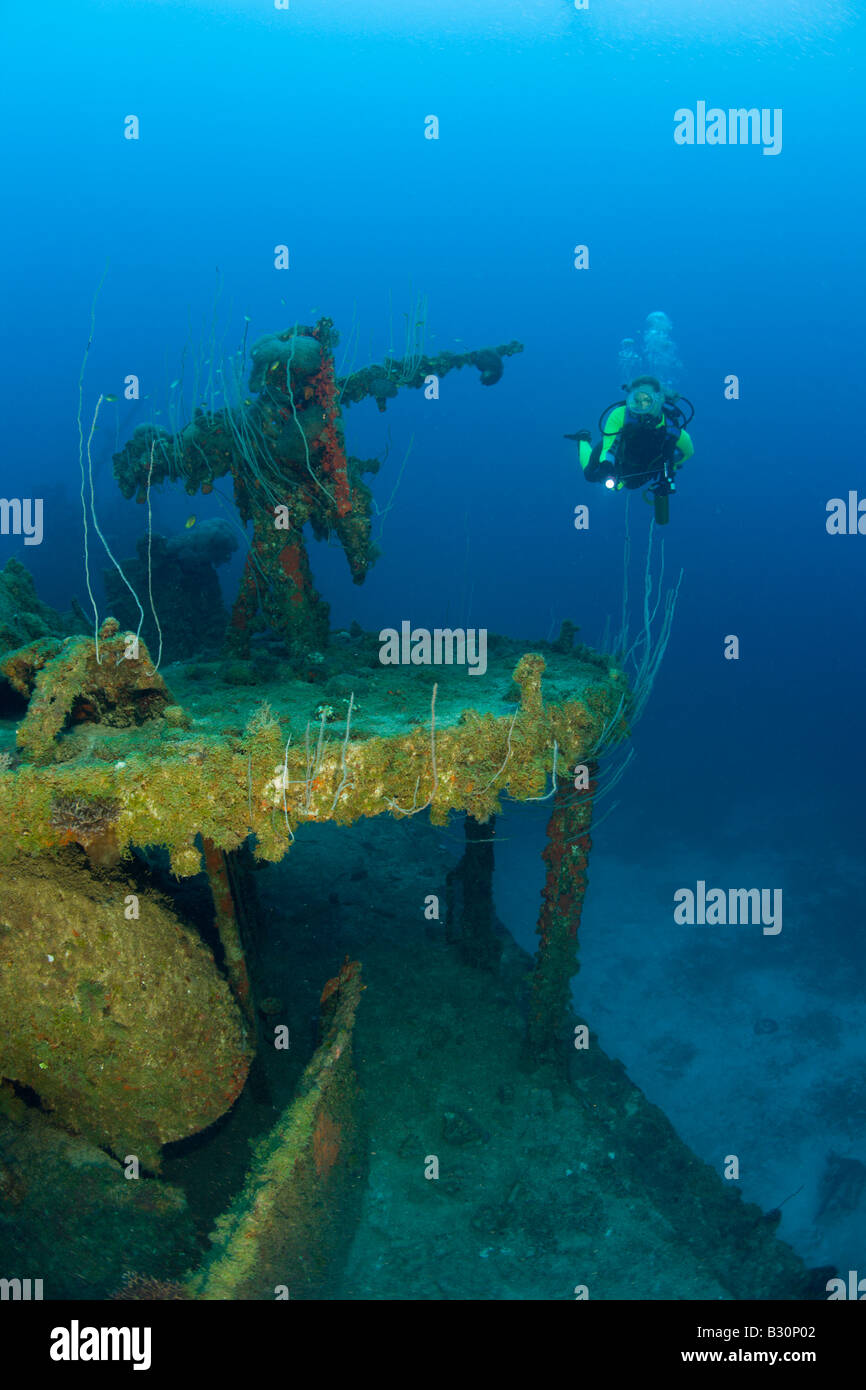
[(643, 444)]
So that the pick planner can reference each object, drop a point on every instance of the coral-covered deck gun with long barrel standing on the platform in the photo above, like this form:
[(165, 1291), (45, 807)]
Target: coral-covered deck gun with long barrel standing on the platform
[(284, 448)]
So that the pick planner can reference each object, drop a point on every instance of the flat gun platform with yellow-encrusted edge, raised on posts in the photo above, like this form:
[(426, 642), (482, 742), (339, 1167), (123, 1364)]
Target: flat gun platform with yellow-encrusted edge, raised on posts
[(112, 754)]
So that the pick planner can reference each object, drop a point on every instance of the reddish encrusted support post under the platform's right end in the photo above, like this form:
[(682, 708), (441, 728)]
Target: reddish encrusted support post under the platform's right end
[(566, 857)]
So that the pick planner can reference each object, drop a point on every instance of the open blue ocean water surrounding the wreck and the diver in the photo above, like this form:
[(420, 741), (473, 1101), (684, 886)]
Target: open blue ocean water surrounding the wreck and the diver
[(307, 126)]
